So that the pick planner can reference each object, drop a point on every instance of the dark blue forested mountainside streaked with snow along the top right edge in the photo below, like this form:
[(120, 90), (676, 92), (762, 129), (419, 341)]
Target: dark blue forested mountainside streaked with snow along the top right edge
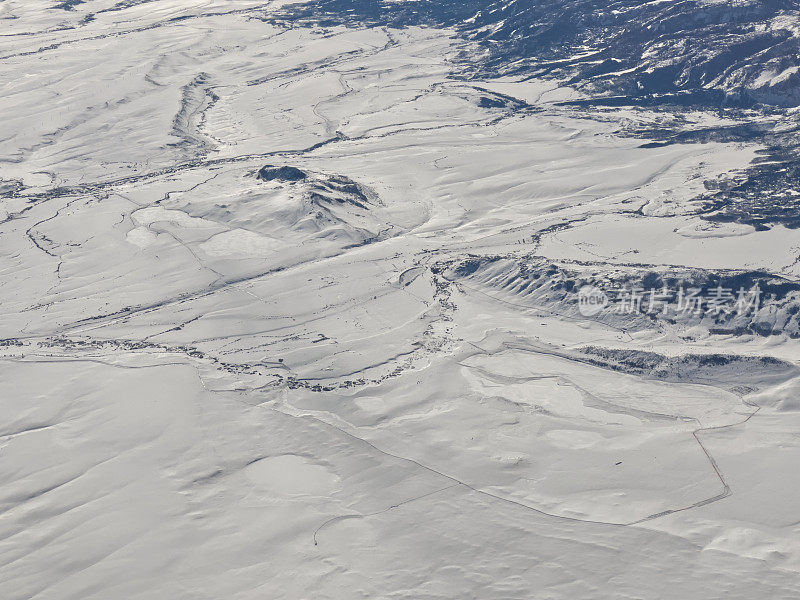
[(687, 52)]
